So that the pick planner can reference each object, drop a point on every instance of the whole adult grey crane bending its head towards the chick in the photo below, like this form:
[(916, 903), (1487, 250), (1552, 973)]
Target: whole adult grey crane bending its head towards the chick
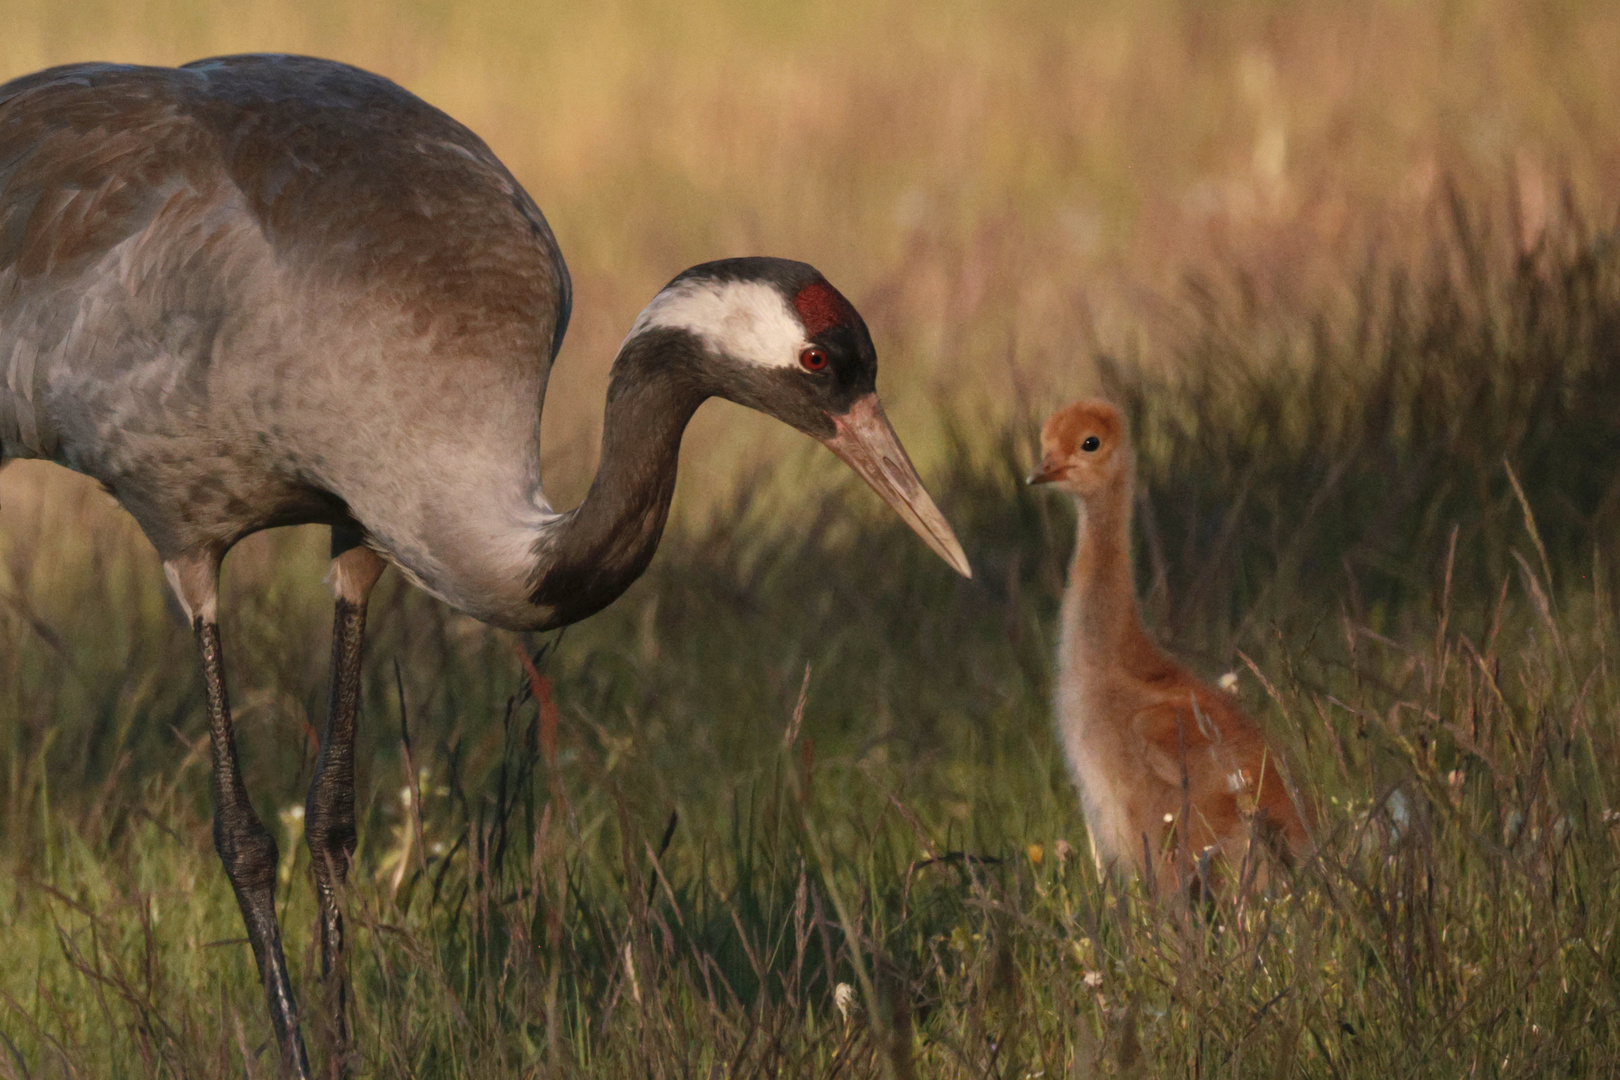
[(278, 291)]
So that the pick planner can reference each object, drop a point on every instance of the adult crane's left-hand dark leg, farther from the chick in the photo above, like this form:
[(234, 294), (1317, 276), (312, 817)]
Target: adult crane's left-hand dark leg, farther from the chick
[(244, 844)]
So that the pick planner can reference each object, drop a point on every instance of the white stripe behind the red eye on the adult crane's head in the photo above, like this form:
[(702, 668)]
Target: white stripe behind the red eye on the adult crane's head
[(748, 321)]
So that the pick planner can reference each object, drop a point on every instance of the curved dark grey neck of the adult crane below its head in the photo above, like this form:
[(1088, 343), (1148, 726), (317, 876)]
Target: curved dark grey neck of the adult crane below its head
[(605, 543)]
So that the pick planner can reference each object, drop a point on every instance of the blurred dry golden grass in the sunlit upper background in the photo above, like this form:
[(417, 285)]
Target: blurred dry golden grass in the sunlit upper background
[(995, 185)]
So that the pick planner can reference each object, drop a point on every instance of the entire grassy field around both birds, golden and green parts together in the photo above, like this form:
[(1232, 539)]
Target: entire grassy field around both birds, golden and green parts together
[(793, 806)]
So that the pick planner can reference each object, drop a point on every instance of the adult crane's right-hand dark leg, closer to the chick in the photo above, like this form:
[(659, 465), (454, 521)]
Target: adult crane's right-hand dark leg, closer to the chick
[(330, 812)]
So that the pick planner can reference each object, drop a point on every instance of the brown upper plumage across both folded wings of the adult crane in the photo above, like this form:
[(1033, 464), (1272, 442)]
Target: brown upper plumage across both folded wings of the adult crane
[(352, 181)]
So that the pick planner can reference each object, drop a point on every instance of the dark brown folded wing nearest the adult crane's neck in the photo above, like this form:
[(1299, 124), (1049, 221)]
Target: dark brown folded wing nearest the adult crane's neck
[(356, 177)]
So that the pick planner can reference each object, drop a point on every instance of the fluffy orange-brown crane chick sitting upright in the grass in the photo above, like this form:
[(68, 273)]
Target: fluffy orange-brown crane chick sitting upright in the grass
[(1170, 772)]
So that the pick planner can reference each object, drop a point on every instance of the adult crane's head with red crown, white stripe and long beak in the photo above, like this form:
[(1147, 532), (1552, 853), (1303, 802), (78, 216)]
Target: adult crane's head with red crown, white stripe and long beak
[(772, 334)]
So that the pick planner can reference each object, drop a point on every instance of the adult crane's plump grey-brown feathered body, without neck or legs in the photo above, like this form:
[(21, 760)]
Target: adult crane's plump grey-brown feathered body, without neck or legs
[(271, 291)]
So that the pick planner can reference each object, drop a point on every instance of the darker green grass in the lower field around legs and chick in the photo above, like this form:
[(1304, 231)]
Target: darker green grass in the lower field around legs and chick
[(678, 890)]
